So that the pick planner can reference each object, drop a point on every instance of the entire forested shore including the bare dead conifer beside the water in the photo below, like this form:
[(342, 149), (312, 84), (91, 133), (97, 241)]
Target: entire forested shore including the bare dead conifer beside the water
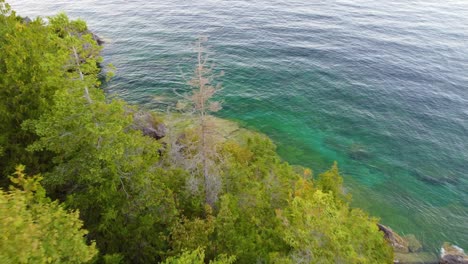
[(87, 178)]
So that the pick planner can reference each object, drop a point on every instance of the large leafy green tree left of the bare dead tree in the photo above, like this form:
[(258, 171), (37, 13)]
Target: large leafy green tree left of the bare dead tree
[(106, 169)]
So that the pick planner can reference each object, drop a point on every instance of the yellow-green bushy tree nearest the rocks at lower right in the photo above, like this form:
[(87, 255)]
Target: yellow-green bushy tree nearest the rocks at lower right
[(320, 230)]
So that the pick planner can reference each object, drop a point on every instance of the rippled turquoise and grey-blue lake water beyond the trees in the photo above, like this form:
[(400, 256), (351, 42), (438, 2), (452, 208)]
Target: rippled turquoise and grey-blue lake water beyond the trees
[(380, 87)]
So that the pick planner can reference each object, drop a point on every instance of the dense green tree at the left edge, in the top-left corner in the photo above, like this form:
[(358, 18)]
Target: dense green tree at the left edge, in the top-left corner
[(31, 70)]
